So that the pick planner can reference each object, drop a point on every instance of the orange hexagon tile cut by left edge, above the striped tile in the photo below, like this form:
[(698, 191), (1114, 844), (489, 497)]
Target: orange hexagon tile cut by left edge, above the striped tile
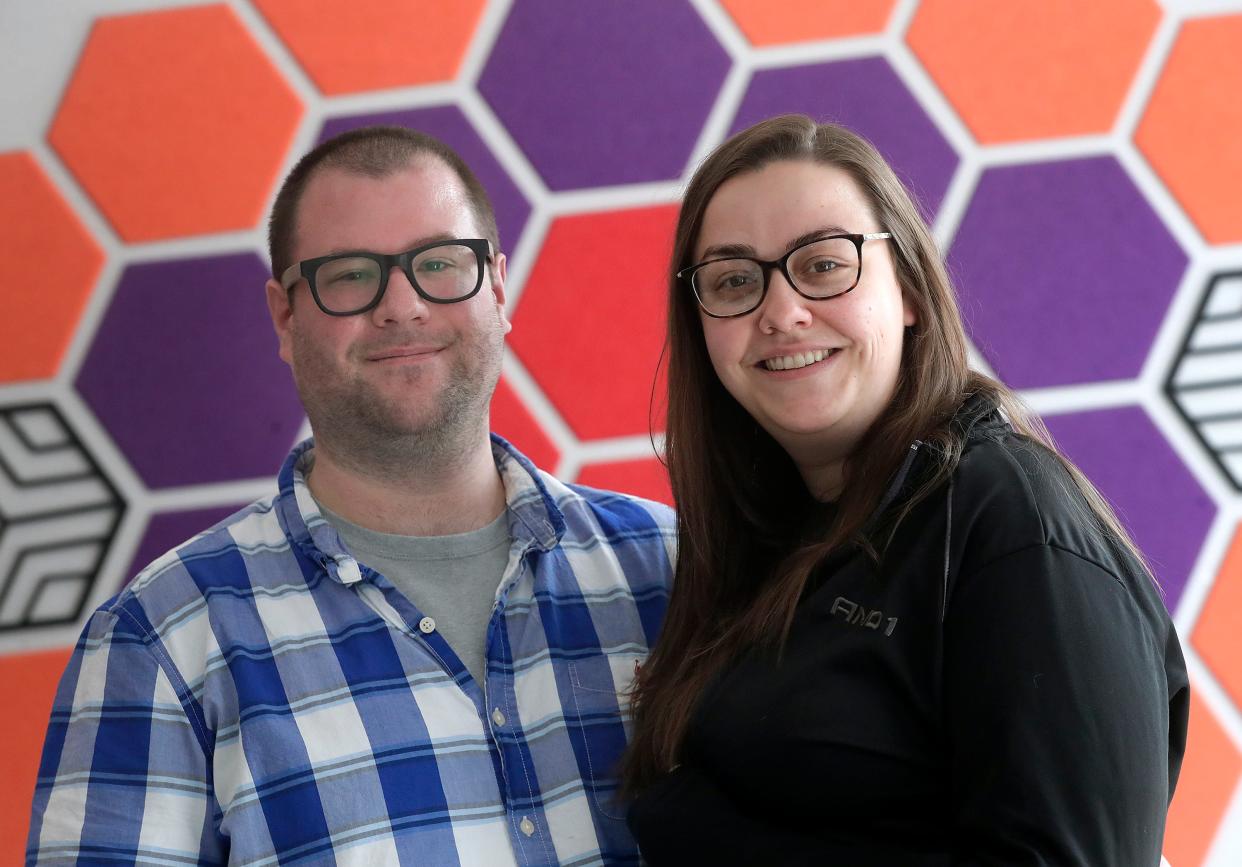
[(40, 235)]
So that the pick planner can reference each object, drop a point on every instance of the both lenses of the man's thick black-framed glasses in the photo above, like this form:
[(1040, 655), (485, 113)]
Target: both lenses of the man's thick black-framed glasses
[(446, 273)]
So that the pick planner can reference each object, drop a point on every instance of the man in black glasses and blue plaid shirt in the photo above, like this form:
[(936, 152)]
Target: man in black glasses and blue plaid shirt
[(418, 651)]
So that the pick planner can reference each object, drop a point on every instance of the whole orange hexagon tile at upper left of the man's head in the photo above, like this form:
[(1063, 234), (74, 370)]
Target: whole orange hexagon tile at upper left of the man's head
[(176, 124)]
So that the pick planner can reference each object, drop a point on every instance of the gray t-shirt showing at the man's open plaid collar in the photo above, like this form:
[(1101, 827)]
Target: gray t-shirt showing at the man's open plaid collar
[(453, 579)]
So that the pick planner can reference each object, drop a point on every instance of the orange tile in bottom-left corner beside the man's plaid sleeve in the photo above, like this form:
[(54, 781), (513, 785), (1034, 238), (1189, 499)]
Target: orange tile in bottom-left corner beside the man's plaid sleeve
[(29, 681)]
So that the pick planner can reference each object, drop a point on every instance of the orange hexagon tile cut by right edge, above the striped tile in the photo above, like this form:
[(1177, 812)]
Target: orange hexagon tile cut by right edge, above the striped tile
[(1192, 131)]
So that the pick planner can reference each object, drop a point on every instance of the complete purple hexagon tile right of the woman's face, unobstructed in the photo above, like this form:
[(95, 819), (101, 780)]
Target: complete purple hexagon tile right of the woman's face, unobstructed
[(1065, 273)]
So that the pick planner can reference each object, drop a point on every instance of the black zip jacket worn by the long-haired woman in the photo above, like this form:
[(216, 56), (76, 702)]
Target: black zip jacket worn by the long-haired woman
[(1004, 689)]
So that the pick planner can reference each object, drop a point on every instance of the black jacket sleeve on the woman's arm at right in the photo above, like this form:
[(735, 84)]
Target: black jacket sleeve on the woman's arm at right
[(1058, 716)]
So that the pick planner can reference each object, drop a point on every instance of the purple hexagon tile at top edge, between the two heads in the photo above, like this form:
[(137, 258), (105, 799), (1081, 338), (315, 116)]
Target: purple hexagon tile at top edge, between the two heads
[(598, 93)]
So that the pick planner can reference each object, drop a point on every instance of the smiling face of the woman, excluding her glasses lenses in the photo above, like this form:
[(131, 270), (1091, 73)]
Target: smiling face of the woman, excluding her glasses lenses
[(818, 412)]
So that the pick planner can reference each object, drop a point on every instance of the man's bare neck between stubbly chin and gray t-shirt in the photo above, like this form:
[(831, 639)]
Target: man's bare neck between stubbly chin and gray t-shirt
[(458, 497)]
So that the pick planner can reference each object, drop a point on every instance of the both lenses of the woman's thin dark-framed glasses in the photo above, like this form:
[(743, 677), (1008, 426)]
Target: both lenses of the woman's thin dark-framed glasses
[(820, 270)]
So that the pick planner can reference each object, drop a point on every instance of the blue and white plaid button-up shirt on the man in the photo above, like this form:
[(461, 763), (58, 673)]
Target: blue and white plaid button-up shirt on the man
[(258, 697)]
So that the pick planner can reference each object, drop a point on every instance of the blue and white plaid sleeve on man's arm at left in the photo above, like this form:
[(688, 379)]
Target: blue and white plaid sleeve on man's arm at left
[(125, 776)]
